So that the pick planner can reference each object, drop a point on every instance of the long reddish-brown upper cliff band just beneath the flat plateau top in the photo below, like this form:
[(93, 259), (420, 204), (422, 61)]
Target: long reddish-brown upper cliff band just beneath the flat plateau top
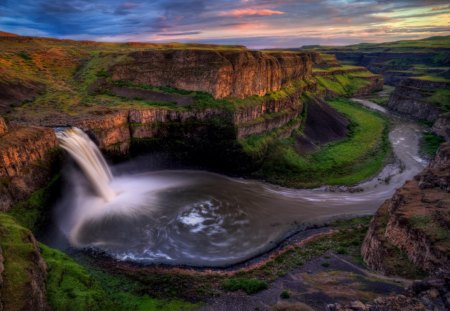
[(235, 73)]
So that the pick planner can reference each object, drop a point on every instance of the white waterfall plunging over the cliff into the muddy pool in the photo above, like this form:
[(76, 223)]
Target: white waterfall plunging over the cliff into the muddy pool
[(83, 150)]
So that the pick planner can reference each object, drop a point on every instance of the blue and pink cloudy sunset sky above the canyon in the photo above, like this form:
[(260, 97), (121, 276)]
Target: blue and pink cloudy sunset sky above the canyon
[(254, 23)]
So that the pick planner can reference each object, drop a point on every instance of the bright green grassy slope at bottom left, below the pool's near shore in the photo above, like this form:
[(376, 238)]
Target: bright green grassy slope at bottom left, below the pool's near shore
[(71, 286)]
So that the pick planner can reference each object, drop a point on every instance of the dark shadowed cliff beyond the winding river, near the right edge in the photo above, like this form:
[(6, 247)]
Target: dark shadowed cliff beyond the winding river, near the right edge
[(412, 98)]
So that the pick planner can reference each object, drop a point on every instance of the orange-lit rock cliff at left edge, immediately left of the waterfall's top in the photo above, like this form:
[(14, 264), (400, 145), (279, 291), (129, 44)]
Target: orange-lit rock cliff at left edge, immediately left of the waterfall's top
[(25, 153)]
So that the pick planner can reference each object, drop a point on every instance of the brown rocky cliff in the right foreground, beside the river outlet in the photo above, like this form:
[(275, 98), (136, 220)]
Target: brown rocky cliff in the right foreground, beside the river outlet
[(416, 221)]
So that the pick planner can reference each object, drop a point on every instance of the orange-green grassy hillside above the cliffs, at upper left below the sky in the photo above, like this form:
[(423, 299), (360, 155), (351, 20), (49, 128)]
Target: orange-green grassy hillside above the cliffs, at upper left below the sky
[(60, 73)]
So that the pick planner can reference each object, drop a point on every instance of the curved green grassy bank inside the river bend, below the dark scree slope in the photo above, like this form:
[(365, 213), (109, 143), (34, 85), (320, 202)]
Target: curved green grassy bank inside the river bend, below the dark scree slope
[(357, 158)]
